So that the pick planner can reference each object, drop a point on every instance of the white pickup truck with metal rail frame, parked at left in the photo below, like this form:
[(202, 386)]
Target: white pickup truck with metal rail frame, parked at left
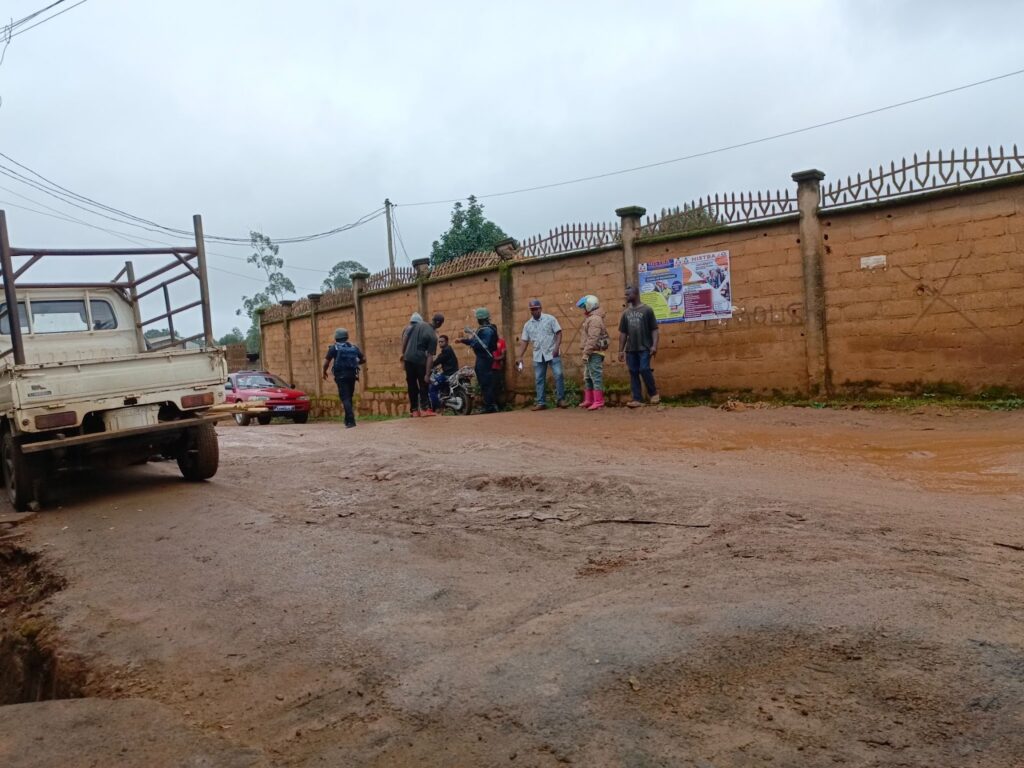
[(81, 387)]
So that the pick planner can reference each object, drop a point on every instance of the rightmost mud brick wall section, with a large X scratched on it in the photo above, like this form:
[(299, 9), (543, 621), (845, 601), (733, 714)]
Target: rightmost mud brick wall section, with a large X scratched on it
[(949, 306)]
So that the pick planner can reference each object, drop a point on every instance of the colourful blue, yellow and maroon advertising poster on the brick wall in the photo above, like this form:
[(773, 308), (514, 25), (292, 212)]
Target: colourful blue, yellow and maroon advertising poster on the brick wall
[(689, 289)]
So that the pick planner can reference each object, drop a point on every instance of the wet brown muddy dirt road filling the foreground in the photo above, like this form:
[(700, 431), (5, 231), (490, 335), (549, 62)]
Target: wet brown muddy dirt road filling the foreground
[(807, 588)]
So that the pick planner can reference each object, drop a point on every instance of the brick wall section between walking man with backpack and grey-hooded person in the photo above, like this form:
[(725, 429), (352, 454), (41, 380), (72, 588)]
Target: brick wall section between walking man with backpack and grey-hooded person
[(386, 314)]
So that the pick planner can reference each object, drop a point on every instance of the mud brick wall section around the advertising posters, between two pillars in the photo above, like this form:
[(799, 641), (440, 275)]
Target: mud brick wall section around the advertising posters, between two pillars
[(761, 349)]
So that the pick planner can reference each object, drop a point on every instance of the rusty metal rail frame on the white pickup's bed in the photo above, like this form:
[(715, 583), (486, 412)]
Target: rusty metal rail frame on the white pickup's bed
[(133, 288)]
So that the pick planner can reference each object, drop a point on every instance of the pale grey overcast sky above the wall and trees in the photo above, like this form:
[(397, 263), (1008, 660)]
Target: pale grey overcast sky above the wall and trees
[(295, 118)]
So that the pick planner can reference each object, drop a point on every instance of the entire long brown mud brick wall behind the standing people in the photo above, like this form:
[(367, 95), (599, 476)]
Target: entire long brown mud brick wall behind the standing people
[(948, 306)]
